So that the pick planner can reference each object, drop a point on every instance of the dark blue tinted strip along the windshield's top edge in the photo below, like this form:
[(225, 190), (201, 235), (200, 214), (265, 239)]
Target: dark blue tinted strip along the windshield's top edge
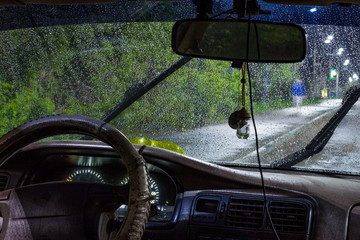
[(34, 15)]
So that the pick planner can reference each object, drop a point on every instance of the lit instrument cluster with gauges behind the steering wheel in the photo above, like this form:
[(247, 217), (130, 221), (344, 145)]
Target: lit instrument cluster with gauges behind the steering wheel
[(109, 170)]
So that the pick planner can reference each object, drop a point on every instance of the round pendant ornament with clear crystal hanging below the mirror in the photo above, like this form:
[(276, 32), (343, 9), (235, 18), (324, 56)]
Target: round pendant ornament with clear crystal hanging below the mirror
[(239, 120)]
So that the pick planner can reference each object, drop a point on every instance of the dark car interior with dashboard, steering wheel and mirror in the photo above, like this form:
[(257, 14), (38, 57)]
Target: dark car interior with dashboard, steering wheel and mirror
[(111, 188)]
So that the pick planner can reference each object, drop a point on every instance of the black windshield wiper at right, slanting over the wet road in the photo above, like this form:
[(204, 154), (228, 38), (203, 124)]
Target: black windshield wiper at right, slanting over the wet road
[(322, 138)]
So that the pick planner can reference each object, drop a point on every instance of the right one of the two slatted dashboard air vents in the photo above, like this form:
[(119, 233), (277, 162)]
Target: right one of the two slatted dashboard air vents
[(289, 216)]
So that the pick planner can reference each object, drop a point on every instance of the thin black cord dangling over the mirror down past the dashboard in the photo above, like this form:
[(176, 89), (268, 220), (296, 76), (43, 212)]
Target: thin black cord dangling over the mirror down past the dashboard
[(266, 206)]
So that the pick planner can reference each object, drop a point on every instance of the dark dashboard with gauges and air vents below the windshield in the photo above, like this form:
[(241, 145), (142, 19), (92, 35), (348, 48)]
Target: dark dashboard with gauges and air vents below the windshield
[(193, 199)]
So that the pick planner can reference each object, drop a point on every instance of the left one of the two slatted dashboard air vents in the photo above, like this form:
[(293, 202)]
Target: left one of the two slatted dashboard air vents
[(245, 213)]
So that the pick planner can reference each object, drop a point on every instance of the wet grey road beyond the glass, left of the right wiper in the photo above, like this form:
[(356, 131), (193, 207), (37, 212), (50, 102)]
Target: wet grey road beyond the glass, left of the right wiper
[(219, 142)]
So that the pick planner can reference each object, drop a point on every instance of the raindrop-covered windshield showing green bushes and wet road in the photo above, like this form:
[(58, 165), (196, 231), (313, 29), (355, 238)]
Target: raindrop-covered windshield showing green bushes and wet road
[(91, 68)]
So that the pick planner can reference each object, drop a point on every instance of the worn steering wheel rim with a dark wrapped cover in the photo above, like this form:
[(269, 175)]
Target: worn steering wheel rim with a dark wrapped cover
[(133, 225)]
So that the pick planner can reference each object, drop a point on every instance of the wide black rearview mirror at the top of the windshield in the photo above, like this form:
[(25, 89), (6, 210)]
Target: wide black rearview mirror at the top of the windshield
[(227, 40)]
